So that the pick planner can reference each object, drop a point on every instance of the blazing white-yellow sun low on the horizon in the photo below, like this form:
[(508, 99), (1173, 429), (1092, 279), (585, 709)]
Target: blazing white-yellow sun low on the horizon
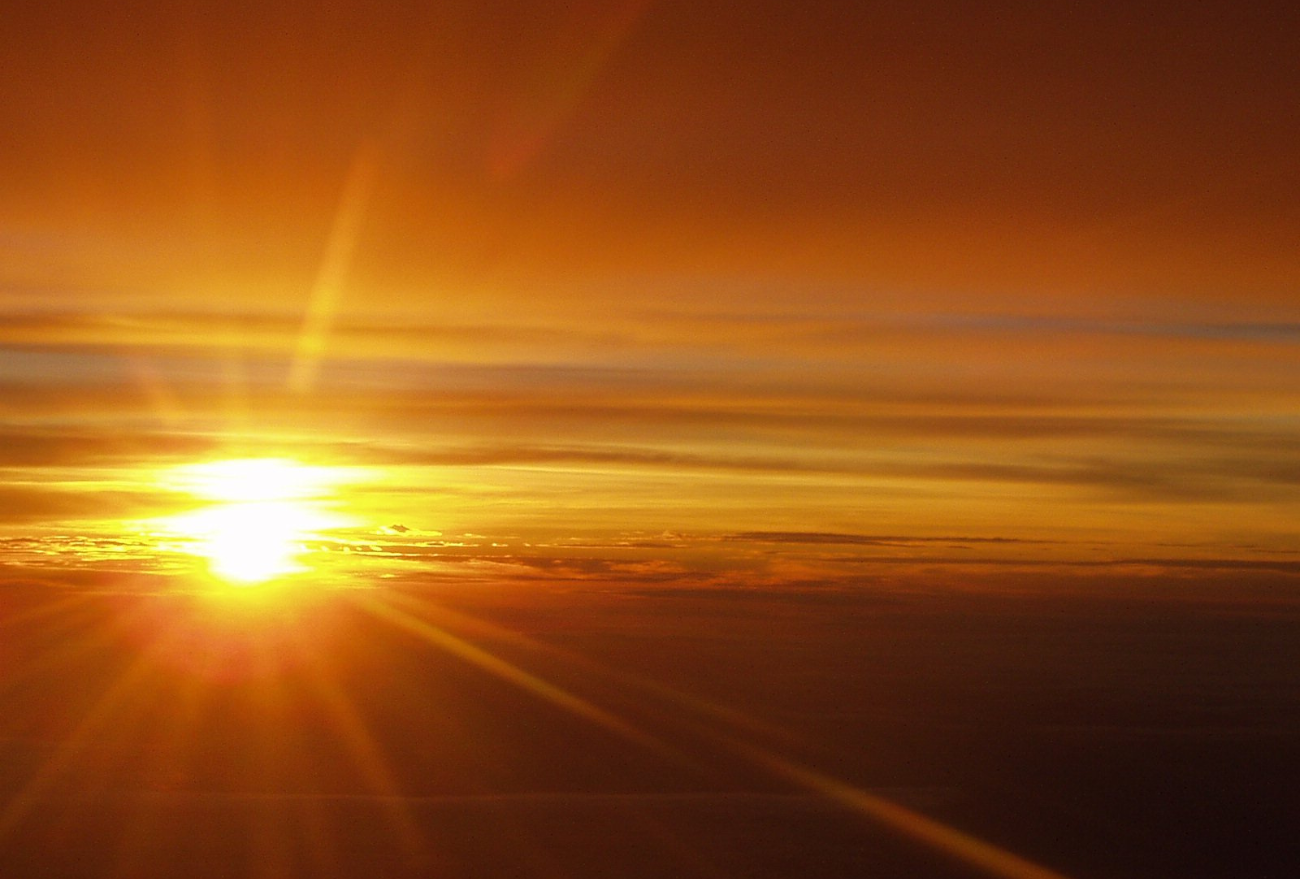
[(261, 514)]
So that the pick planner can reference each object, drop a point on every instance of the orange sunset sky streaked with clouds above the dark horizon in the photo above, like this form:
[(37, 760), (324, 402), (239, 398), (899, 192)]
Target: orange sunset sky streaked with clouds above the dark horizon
[(729, 293)]
